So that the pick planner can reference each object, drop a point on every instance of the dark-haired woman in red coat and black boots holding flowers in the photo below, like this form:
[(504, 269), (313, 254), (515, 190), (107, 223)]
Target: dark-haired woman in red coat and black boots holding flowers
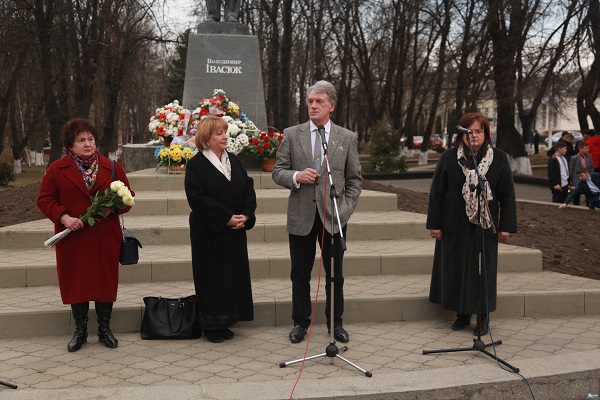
[(87, 259)]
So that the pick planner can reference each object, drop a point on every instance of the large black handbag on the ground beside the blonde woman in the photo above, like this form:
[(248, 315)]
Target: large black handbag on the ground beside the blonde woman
[(170, 318)]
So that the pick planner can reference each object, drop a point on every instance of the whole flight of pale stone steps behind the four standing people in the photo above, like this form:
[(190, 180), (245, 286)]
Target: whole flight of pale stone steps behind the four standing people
[(387, 266)]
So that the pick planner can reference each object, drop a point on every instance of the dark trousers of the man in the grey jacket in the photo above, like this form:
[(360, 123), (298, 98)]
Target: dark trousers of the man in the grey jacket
[(302, 253)]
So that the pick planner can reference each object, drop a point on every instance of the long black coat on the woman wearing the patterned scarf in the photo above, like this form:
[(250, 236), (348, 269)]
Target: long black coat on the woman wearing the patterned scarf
[(454, 280)]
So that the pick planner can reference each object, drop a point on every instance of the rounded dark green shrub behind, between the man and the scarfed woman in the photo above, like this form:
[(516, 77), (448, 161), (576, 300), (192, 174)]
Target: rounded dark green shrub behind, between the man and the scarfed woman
[(384, 149)]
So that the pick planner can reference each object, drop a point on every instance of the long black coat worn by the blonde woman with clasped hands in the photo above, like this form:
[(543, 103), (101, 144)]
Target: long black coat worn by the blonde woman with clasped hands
[(219, 253)]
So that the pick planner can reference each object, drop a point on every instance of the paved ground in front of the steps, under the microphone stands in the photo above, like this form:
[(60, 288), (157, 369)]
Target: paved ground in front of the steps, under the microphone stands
[(248, 366)]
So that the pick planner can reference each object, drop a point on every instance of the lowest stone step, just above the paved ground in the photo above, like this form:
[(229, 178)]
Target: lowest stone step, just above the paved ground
[(38, 311)]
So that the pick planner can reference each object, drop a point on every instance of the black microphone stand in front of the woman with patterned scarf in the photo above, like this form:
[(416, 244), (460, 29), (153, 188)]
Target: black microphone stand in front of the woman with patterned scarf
[(478, 344)]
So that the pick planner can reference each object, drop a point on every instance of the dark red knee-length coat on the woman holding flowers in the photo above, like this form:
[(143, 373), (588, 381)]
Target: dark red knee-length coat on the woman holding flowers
[(87, 260)]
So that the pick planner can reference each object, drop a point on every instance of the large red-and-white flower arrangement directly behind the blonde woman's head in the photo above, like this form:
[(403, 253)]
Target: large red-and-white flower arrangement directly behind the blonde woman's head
[(220, 105)]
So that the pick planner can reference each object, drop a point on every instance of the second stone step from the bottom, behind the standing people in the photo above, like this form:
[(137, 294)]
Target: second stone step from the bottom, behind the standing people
[(159, 263)]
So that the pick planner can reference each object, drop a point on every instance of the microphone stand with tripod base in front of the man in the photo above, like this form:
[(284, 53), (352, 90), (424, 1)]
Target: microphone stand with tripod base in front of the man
[(331, 350)]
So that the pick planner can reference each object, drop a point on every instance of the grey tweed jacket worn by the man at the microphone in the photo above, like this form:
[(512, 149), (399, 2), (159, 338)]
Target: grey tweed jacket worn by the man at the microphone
[(295, 154)]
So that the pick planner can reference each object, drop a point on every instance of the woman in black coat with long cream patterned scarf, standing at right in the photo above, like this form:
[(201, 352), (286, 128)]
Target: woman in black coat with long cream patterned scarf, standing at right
[(465, 202)]
